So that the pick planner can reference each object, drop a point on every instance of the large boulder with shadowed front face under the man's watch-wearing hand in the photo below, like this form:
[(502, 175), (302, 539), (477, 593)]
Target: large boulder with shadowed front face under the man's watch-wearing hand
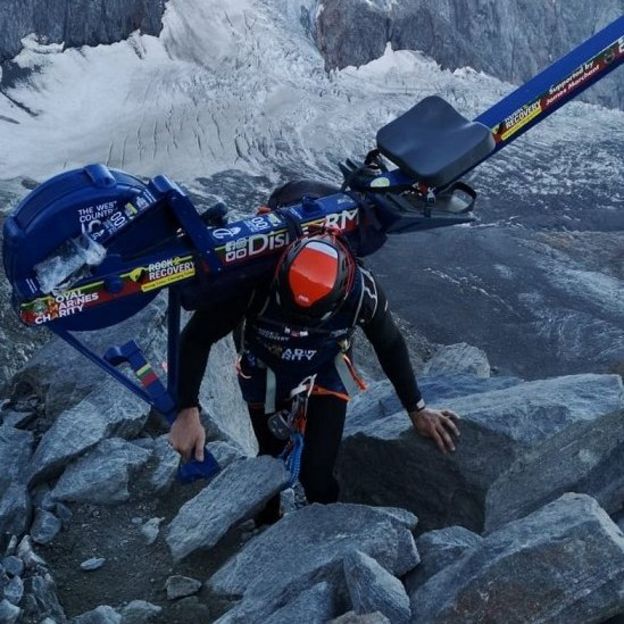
[(520, 448)]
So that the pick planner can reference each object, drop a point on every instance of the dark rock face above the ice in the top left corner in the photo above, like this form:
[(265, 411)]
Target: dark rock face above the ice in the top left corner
[(85, 22)]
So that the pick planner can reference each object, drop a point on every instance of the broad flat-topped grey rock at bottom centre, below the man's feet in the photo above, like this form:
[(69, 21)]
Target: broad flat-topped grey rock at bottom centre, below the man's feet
[(307, 547)]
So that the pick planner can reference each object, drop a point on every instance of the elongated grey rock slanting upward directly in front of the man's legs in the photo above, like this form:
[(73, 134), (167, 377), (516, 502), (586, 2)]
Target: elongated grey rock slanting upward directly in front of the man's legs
[(234, 495)]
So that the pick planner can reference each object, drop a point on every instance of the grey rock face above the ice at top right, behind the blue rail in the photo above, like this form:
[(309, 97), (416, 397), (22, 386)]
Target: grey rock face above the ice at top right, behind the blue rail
[(504, 38)]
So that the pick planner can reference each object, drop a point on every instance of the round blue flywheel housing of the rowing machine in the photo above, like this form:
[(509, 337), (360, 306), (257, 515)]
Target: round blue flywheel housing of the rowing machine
[(74, 206)]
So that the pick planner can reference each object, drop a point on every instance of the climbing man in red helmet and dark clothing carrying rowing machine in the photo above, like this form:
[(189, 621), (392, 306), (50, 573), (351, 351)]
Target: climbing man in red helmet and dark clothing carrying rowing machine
[(294, 334)]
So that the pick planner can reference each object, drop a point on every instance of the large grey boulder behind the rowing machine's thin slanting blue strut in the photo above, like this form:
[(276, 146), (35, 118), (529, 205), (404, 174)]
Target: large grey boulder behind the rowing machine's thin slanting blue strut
[(83, 405)]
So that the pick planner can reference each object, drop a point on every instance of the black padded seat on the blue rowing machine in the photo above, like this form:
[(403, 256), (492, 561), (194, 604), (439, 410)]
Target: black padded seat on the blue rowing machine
[(434, 143)]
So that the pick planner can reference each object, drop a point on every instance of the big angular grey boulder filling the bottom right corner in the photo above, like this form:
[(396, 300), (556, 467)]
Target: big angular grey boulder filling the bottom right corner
[(569, 556)]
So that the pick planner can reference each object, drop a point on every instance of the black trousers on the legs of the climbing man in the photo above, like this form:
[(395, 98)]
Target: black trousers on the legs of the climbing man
[(325, 423)]
